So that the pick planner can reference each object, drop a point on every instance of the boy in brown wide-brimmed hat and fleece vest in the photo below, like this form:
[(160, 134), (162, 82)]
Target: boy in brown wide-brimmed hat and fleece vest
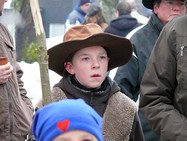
[(83, 59)]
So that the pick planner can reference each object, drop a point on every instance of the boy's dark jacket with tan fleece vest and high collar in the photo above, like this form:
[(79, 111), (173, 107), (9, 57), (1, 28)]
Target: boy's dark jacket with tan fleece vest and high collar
[(121, 122)]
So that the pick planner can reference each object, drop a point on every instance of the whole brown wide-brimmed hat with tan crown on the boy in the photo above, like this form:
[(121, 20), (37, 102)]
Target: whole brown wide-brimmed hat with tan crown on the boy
[(82, 36)]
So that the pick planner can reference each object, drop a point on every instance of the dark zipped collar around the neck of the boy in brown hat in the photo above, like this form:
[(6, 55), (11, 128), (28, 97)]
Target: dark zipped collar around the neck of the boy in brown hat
[(97, 98)]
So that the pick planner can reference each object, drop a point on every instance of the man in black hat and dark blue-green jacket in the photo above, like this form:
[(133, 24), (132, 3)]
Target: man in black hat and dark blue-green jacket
[(129, 76)]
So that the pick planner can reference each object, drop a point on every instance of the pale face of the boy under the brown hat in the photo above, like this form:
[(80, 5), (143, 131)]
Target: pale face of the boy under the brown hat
[(89, 65)]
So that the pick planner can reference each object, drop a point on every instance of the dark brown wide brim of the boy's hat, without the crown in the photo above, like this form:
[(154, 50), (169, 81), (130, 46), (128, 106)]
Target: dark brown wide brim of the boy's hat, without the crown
[(120, 48)]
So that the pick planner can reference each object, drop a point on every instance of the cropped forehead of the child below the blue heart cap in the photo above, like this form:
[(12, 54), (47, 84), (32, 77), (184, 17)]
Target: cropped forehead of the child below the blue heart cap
[(76, 135)]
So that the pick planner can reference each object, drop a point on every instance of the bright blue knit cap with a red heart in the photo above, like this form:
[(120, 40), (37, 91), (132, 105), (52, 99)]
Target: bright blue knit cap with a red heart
[(69, 114)]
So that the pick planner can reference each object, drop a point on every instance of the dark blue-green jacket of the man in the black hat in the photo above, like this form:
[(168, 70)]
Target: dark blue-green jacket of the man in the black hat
[(130, 75)]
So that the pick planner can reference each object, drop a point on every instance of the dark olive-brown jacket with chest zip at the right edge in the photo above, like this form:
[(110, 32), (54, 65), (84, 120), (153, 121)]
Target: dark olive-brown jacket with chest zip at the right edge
[(163, 89)]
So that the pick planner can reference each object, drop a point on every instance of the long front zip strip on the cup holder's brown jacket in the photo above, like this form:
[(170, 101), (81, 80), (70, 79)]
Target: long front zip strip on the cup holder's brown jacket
[(10, 112)]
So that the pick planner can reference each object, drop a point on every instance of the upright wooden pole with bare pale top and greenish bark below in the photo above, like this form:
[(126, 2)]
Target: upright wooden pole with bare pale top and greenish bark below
[(41, 50)]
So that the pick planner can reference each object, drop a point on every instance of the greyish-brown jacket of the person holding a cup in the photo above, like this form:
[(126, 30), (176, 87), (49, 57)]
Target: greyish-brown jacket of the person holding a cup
[(15, 107)]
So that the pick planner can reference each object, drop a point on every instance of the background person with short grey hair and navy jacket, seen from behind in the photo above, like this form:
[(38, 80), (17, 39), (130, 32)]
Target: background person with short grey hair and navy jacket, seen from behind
[(124, 23)]
